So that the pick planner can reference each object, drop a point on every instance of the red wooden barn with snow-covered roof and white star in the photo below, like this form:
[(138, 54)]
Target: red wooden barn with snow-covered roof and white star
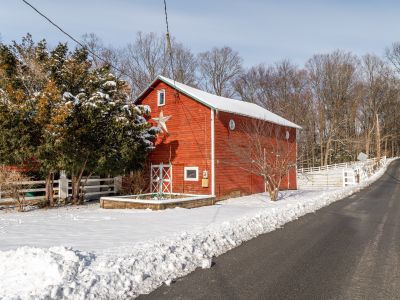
[(191, 152)]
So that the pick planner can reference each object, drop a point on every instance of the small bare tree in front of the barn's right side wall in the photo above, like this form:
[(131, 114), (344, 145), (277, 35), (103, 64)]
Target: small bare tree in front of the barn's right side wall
[(265, 150)]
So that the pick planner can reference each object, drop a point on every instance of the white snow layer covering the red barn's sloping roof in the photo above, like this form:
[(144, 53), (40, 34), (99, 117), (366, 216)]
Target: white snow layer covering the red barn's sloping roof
[(228, 105)]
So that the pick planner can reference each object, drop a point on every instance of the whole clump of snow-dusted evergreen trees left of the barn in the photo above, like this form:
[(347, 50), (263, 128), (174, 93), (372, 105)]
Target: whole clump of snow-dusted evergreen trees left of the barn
[(60, 112)]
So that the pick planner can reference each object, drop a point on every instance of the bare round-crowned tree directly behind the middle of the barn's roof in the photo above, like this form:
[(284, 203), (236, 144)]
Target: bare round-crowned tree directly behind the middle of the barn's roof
[(219, 69)]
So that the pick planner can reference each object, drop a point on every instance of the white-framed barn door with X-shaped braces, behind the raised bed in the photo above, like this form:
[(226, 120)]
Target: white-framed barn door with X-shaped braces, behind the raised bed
[(161, 179)]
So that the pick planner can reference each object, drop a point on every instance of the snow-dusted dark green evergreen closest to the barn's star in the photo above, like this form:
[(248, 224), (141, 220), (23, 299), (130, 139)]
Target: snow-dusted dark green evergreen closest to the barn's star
[(103, 133)]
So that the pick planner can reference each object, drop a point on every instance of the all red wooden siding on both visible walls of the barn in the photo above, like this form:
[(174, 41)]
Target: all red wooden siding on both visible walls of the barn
[(188, 143)]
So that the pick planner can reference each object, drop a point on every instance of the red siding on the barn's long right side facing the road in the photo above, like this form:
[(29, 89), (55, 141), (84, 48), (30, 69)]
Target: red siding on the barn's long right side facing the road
[(229, 177)]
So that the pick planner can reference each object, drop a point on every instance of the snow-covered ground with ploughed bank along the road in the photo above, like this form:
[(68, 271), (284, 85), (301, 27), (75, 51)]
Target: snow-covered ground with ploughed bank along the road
[(91, 253)]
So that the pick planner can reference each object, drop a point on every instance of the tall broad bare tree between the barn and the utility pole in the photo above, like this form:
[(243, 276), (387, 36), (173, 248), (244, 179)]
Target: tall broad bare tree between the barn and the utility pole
[(333, 80)]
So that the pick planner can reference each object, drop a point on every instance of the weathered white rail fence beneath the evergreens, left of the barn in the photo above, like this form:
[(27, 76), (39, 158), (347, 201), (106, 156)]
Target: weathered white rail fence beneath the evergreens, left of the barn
[(62, 188)]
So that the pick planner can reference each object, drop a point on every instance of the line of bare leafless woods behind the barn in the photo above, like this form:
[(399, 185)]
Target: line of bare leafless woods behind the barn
[(346, 104)]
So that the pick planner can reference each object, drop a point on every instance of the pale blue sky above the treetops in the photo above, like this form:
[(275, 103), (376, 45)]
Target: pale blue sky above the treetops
[(261, 31)]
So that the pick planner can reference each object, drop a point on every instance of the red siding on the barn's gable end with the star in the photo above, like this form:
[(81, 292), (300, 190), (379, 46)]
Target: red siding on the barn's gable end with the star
[(188, 142)]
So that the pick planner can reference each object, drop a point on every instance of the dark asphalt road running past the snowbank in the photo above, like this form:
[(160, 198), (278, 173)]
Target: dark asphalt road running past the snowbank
[(348, 250)]
